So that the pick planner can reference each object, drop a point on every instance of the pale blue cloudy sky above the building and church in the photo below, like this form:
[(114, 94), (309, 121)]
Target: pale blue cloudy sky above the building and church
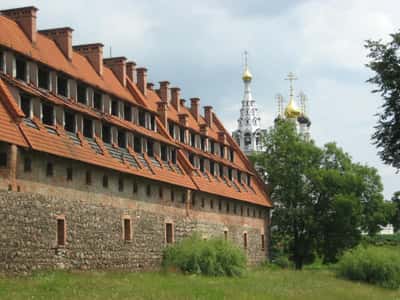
[(199, 45)]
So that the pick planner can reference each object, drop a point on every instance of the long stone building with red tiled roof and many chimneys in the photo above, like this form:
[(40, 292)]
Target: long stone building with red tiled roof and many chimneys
[(98, 169)]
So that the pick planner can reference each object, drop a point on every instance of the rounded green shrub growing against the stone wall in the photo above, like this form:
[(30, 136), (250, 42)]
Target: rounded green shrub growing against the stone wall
[(215, 257)]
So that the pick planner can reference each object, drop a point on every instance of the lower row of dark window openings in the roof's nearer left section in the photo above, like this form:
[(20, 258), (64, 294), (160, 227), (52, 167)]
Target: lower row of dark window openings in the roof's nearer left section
[(109, 134)]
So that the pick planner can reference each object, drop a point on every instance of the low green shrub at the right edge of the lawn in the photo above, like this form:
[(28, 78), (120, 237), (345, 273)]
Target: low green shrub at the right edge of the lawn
[(377, 265)]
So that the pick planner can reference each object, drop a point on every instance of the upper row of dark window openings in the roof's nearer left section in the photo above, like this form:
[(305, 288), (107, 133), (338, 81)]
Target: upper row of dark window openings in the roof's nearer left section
[(62, 85)]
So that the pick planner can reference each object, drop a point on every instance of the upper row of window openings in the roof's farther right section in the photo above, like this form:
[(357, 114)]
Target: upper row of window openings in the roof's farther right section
[(201, 142)]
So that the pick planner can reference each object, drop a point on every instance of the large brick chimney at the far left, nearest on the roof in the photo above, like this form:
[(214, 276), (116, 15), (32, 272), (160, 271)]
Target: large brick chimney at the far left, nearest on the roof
[(26, 19)]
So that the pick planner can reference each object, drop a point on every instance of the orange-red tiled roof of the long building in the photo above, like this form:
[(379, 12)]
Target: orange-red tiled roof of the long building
[(56, 141)]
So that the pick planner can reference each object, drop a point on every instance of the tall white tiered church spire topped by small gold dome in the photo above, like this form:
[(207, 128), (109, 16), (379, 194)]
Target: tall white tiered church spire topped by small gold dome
[(249, 135)]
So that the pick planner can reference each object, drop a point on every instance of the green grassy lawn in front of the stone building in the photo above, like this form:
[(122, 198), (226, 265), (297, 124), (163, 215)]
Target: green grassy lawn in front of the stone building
[(260, 284)]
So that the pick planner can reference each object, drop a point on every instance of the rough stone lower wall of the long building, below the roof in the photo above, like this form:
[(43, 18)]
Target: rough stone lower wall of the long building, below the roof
[(94, 232)]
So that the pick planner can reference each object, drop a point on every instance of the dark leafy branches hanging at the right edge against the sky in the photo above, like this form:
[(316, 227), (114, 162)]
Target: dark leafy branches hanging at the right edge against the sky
[(385, 62)]
